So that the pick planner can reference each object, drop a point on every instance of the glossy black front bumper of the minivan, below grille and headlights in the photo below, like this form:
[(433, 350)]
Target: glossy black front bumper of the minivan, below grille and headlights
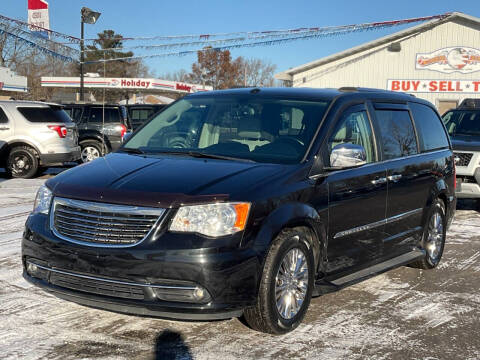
[(229, 275)]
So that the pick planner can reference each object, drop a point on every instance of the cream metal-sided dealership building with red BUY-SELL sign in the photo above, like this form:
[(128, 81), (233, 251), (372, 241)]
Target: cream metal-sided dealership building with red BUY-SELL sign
[(438, 61)]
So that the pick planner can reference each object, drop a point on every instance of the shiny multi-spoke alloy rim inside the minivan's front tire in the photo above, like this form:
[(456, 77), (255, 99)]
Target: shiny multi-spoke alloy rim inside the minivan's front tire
[(291, 283)]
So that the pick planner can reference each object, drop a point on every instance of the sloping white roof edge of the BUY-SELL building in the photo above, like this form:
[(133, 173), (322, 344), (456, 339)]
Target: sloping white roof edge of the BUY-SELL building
[(455, 16)]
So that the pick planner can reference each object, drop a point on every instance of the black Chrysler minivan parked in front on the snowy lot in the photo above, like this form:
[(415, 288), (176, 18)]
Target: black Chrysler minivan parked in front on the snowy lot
[(248, 202)]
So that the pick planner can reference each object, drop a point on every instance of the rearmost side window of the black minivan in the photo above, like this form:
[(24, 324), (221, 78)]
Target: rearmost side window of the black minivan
[(431, 133)]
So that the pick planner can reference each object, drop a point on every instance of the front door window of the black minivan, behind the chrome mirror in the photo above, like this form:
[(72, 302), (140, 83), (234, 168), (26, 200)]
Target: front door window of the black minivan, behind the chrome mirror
[(354, 128)]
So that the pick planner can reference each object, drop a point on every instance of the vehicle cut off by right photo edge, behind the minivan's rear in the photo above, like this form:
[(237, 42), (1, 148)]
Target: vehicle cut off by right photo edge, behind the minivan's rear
[(463, 125)]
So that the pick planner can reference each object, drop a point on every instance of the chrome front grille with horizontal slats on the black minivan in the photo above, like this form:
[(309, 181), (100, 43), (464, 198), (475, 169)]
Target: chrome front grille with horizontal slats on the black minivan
[(99, 224)]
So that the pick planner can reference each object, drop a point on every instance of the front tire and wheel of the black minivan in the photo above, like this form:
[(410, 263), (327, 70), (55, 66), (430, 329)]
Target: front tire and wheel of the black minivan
[(268, 315)]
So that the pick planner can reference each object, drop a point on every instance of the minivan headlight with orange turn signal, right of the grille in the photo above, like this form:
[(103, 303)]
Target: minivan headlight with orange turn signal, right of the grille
[(212, 220)]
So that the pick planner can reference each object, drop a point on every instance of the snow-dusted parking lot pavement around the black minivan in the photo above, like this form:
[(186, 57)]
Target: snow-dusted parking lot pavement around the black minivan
[(403, 314)]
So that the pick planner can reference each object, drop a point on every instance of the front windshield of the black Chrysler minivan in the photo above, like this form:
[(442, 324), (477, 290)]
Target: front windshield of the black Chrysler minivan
[(259, 129)]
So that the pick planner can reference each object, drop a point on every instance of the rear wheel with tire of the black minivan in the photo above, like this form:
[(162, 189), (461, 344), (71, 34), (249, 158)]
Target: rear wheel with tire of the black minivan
[(433, 237)]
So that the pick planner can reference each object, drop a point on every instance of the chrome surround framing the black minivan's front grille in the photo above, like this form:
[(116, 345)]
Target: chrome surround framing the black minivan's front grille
[(94, 206)]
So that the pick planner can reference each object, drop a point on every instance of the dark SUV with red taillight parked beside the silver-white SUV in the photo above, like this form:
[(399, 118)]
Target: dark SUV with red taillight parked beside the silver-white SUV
[(101, 128)]
